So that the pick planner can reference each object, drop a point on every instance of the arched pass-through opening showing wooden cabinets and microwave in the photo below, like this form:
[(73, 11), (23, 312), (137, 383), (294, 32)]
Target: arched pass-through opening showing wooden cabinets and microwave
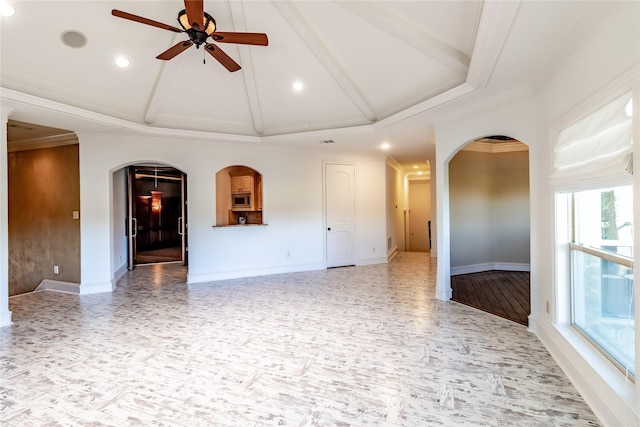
[(238, 196)]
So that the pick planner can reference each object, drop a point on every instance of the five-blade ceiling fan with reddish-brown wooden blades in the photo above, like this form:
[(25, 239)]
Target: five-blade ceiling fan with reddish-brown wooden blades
[(199, 26)]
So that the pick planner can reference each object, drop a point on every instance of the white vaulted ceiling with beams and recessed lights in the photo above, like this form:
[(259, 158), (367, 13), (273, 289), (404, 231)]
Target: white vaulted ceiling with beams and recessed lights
[(373, 72)]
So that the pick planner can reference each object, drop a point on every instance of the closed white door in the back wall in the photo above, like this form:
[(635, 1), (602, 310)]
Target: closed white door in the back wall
[(340, 214)]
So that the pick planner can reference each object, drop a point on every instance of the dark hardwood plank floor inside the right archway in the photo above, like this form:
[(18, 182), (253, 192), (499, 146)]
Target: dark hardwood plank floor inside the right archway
[(503, 293)]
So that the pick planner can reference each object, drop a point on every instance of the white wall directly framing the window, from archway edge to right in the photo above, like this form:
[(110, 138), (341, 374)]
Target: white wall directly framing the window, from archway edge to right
[(607, 63)]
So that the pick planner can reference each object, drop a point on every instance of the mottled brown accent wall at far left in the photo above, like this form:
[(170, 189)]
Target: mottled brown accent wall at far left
[(44, 190)]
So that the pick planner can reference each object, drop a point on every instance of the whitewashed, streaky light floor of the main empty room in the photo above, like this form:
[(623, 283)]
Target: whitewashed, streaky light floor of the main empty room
[(348, 346)]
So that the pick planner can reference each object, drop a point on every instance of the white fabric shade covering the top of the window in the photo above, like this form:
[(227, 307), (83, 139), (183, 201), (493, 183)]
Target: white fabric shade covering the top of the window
[(596, 151)]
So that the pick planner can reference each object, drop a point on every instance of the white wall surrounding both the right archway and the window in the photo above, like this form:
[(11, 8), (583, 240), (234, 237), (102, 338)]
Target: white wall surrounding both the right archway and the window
[(606, 63)]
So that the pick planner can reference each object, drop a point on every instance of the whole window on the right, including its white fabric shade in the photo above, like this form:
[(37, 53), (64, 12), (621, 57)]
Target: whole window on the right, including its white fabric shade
[(593, 172)]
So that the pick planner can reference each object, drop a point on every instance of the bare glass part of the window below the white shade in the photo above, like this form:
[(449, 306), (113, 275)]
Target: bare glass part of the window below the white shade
[(602, 300)]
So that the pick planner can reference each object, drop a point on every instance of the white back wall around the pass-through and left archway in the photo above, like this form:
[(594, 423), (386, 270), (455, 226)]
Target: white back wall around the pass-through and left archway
[(293, 207)]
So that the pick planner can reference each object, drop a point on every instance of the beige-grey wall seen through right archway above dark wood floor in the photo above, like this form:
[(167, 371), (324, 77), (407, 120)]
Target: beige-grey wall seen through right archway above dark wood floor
[(489, 208)]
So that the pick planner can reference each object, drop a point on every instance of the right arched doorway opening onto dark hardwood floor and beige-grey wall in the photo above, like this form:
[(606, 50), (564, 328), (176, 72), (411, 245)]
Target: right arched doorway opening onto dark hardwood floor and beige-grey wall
[(490, 226)]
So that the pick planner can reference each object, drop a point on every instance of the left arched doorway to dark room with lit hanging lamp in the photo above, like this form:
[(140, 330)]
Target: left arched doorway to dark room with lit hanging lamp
[(156, 215)]
